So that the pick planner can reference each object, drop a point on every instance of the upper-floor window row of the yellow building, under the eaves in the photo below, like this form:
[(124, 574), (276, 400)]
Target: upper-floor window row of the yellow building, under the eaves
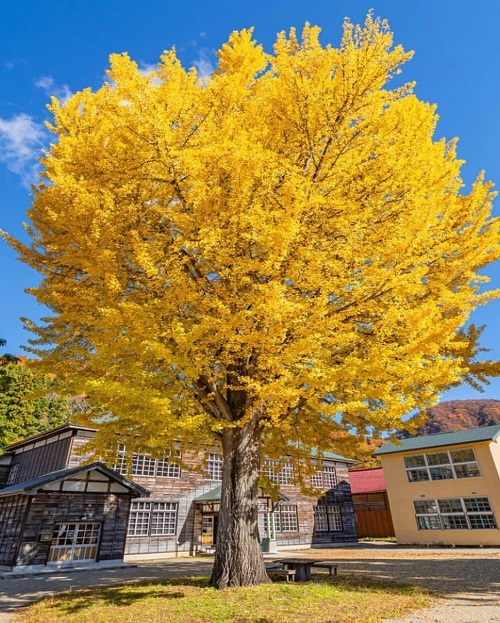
[(442, 465)]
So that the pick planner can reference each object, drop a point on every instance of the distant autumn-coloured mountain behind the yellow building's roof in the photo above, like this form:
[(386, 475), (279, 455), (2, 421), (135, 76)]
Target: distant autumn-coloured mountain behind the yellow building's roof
[(452, 415)]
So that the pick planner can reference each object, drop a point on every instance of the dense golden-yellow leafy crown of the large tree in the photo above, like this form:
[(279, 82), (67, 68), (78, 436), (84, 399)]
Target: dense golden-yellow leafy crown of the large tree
[(283, 240)]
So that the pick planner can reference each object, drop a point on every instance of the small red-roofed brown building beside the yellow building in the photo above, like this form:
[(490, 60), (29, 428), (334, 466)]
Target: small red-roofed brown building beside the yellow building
[(371, 504)]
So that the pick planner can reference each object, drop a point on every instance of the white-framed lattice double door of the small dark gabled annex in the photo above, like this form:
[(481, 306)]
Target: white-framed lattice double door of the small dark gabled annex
[(74, 541)]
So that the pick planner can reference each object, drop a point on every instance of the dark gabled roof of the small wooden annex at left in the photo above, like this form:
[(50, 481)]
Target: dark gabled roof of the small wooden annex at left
[(31, 487)]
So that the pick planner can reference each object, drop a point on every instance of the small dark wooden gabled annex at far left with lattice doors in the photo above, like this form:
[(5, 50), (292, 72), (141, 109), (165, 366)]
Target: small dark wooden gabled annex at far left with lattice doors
[(66, 516)]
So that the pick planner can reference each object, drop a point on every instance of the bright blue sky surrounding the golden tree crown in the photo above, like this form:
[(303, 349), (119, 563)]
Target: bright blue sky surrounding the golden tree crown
[(62, 46)]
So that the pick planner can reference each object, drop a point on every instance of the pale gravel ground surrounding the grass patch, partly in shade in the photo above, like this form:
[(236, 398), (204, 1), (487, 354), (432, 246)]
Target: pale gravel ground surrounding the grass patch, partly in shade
[(467, 580)]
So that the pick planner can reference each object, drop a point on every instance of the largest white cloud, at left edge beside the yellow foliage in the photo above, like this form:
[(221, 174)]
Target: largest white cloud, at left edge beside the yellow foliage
[(21, 143)]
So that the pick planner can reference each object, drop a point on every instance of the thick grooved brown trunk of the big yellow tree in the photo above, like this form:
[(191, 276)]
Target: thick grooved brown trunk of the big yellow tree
[(238, 554)]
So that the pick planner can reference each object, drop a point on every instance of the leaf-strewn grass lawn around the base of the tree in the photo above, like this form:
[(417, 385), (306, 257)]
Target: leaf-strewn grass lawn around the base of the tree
[(191, 600)]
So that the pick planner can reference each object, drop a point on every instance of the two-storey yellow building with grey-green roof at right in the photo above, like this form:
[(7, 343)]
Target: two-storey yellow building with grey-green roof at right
[(445, 488)]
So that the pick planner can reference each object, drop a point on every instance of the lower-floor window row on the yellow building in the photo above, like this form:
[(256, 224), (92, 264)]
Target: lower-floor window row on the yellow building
[(455, 514)]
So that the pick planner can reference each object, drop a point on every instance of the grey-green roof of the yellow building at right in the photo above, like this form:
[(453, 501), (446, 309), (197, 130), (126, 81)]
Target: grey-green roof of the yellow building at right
[(425, 442)]
